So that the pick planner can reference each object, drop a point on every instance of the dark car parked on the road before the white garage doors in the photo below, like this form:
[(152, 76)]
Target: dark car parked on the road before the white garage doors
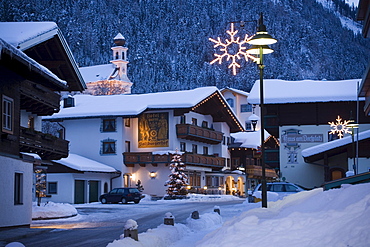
[(123, 195)]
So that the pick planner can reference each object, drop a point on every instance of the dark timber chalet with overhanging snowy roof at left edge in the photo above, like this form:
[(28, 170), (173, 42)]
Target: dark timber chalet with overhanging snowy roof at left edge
[(36, 64)]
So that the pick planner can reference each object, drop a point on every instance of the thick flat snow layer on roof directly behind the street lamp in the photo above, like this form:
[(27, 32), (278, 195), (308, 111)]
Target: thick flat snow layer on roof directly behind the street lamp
[(283, 92)]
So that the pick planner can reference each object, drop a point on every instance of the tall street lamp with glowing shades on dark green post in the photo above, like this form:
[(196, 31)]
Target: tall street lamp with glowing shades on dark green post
[(259, 47)]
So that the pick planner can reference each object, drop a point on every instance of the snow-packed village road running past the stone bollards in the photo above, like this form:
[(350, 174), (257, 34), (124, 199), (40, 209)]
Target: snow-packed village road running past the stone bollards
[(98, 225)]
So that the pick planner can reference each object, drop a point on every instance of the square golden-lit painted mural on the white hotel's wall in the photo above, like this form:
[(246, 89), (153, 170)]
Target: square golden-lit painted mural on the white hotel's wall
[(153, 130)]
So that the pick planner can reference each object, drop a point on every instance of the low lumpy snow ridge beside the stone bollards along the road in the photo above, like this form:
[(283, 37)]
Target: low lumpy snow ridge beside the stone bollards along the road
[(165, 235)]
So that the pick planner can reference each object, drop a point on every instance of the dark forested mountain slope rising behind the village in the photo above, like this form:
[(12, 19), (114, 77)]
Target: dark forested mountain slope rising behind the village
[(168, 40)]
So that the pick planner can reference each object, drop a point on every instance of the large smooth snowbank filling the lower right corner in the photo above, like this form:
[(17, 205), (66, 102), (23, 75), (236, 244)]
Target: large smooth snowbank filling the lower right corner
[(338, 217)]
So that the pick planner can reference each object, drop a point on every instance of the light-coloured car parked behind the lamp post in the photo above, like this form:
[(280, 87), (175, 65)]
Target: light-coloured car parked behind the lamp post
[(280, 189)]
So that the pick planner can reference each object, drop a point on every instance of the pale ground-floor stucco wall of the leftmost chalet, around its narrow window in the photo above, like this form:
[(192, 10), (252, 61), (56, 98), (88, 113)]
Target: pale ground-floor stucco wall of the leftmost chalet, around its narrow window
[(15, 215)]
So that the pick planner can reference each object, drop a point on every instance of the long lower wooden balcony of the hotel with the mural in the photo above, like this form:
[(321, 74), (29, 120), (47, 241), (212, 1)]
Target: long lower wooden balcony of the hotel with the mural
[(146, 158)]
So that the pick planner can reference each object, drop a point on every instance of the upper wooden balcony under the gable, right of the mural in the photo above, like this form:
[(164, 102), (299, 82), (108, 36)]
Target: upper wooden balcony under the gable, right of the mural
[(196, 133)]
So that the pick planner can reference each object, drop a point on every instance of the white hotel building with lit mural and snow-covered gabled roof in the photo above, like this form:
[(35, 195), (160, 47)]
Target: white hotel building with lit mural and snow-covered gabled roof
[(138, 135)]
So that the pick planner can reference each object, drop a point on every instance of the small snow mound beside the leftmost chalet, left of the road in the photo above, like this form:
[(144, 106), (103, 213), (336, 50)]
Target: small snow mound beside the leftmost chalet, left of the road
[(50, 210)]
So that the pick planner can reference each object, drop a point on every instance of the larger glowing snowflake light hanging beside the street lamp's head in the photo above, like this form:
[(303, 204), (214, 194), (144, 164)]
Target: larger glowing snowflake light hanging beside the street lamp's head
[(233, 49)]
